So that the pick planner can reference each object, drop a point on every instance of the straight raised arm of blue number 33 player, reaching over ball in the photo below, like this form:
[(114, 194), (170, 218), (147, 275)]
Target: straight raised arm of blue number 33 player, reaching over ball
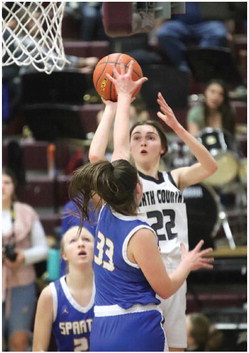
[(125, 86)]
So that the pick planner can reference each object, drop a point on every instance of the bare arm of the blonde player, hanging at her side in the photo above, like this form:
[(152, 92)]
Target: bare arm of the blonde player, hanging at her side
[(43, 321)]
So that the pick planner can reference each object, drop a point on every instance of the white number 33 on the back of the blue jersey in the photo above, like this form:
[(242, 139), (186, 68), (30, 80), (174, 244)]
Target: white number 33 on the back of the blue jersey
[(105, 247)]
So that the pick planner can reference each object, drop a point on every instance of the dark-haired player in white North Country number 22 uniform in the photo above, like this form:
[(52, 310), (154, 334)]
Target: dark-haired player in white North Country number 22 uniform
[(162, 198)]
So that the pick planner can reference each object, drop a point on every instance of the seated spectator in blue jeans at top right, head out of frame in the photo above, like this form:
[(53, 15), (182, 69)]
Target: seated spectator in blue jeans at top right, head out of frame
[(175, 34)]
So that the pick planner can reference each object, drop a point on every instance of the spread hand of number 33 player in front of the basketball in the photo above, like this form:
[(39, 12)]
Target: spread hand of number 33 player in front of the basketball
[(123, 81)]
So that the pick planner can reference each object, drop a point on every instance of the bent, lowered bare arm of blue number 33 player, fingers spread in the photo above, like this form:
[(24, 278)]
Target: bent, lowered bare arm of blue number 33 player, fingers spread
[(143, 250)]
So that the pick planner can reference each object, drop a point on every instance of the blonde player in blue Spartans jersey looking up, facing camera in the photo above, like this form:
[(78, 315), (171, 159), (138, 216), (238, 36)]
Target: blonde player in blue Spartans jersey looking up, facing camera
[(65, 307)]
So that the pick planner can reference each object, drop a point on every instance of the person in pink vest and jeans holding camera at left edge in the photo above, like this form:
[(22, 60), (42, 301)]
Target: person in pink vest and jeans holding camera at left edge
[(24, 244)]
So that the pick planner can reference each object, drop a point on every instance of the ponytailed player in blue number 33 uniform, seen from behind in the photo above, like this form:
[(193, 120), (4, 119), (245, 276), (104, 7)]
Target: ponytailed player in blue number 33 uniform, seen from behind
[(128, 267)]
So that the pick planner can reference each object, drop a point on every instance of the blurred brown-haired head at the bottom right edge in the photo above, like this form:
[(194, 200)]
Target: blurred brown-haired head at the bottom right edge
[(201, 335)]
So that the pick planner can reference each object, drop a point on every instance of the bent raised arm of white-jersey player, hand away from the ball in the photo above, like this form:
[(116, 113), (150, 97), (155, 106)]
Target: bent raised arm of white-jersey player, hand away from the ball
[(206, 165)]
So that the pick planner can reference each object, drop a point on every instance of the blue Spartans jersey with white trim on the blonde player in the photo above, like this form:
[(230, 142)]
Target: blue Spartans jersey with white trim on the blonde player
[(72, 322)]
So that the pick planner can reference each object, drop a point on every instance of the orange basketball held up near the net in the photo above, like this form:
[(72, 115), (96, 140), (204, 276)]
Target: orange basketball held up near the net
[(104, 87)]
